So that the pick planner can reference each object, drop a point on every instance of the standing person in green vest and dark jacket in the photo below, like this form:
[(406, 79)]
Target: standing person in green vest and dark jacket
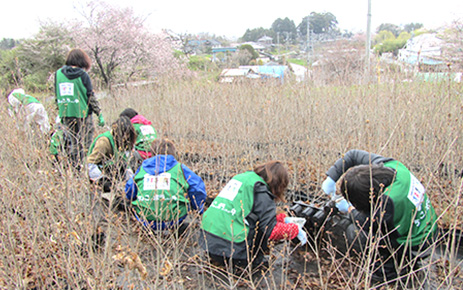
[(76, 102)]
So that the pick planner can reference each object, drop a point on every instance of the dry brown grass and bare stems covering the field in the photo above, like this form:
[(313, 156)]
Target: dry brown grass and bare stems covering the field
[(56, 233)]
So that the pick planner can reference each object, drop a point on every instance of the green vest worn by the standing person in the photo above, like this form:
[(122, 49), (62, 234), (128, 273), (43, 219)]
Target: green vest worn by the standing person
[(71, 96)]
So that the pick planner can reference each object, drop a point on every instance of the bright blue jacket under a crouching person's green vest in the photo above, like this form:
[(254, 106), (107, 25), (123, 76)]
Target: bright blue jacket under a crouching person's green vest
[(162, 163)]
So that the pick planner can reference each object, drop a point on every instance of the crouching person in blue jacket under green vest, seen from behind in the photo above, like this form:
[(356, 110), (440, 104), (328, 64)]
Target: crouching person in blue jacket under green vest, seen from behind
[(164, 190)]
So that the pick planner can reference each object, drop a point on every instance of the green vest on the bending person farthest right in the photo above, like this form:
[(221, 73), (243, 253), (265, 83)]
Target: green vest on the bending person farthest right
[(414, 216)]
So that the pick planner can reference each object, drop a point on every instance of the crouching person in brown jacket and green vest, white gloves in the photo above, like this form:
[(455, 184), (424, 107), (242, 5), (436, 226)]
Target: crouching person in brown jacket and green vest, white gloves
[(108, 154)]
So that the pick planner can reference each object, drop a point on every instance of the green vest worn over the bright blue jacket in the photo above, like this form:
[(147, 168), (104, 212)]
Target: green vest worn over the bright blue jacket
[(161, 197)]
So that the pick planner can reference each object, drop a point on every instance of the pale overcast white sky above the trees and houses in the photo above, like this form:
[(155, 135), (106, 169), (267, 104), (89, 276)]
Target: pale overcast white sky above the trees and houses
[(20, 18)]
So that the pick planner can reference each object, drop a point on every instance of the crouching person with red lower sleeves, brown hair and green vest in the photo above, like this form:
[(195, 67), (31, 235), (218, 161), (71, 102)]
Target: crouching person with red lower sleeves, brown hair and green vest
[(242, 218)]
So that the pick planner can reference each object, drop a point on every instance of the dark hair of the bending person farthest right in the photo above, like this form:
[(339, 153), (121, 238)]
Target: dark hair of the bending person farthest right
[(362, 180)]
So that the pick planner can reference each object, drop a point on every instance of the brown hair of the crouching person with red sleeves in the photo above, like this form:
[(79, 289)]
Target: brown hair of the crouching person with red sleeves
[(276, 176)]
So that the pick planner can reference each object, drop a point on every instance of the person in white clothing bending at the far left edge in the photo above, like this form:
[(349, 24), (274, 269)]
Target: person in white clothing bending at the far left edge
[(28, 109)]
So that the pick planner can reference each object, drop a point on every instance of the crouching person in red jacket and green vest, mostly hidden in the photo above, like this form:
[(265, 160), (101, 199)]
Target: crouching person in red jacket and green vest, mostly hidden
[(146, 134)]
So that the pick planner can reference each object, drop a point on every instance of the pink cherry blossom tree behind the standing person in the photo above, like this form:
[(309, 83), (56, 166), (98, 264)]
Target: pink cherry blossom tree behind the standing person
[(121, 47)]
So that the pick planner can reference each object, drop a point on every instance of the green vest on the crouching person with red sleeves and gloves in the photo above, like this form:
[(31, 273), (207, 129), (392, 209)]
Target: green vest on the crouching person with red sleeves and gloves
[(226, 216)]
